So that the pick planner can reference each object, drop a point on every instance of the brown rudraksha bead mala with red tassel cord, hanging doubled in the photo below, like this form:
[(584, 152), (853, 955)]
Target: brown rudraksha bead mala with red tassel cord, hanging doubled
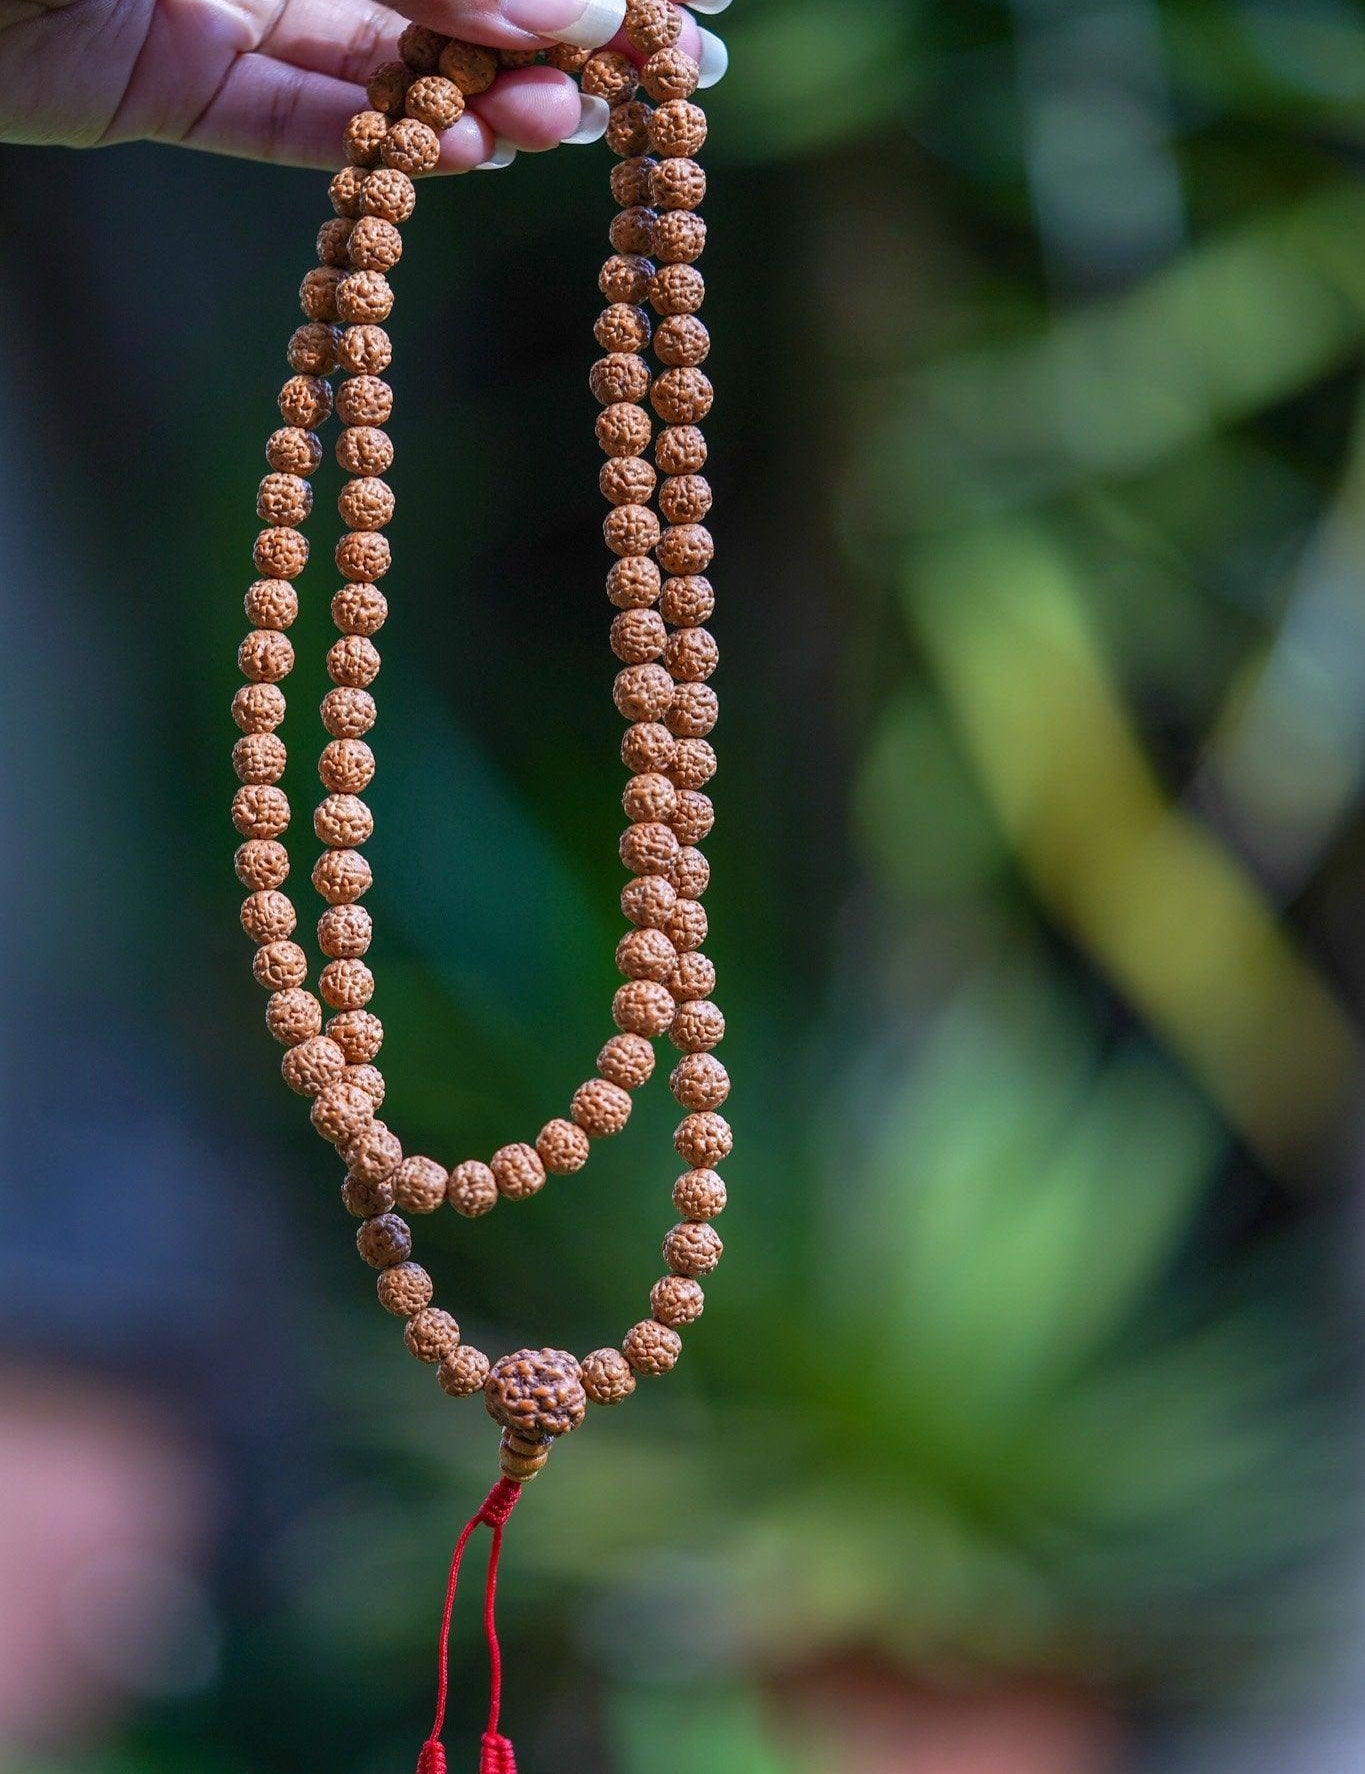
[(667, 655)]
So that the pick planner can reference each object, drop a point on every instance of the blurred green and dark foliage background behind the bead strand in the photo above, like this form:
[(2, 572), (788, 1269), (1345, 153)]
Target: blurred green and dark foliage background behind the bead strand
[(1023, 1429)]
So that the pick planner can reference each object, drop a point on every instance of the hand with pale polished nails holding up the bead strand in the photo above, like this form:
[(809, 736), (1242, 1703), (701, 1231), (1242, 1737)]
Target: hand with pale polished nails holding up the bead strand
[(280, 81)]
